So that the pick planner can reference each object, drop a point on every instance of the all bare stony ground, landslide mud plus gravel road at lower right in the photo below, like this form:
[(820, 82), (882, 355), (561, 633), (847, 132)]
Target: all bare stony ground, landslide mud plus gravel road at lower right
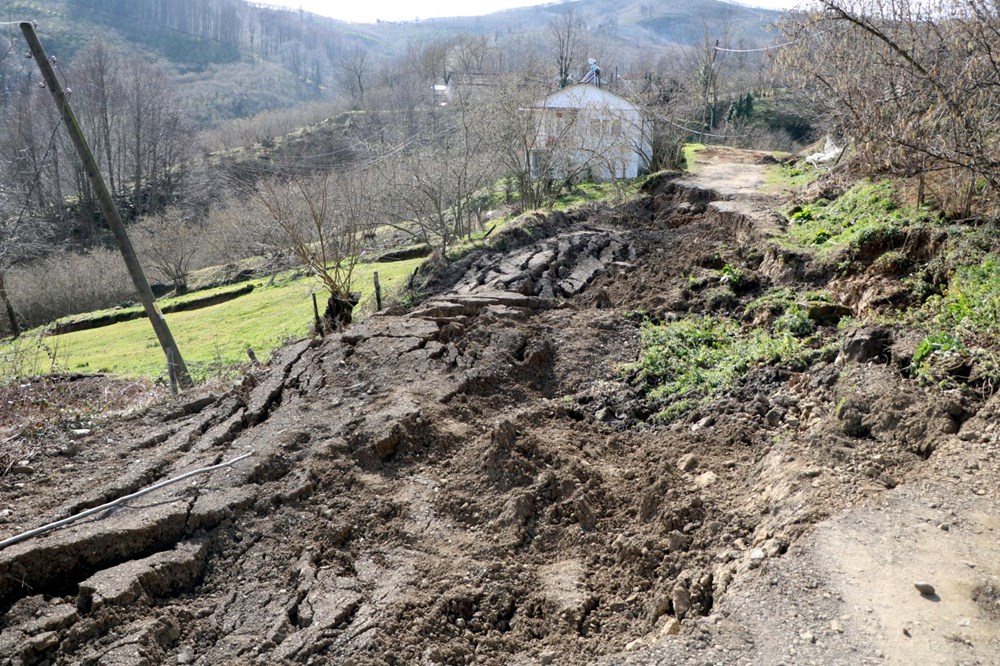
[(472, 482)]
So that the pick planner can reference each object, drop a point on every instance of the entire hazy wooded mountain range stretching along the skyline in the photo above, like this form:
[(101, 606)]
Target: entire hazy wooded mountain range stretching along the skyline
[(235, 59)]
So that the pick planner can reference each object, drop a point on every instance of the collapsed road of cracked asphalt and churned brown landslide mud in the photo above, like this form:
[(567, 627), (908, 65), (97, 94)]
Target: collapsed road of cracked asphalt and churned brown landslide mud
[(463, 483)]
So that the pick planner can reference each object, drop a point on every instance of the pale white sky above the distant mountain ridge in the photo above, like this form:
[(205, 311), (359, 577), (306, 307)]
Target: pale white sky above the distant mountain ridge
[(407, 10)]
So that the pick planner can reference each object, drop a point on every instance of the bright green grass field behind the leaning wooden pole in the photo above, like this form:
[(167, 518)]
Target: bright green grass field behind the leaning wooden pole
[(212, 340)]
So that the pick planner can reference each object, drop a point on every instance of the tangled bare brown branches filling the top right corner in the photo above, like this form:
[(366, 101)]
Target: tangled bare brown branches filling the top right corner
[(913, 84)]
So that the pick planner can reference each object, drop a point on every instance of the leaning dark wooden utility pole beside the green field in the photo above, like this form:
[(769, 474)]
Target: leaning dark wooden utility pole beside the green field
[(175, 363)]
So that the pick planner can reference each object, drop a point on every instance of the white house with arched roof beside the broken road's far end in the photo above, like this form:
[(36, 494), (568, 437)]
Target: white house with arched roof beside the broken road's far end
[(587, 132)]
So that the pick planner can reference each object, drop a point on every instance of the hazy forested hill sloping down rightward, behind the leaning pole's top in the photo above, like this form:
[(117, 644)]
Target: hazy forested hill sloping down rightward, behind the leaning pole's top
[(231, 59)]
